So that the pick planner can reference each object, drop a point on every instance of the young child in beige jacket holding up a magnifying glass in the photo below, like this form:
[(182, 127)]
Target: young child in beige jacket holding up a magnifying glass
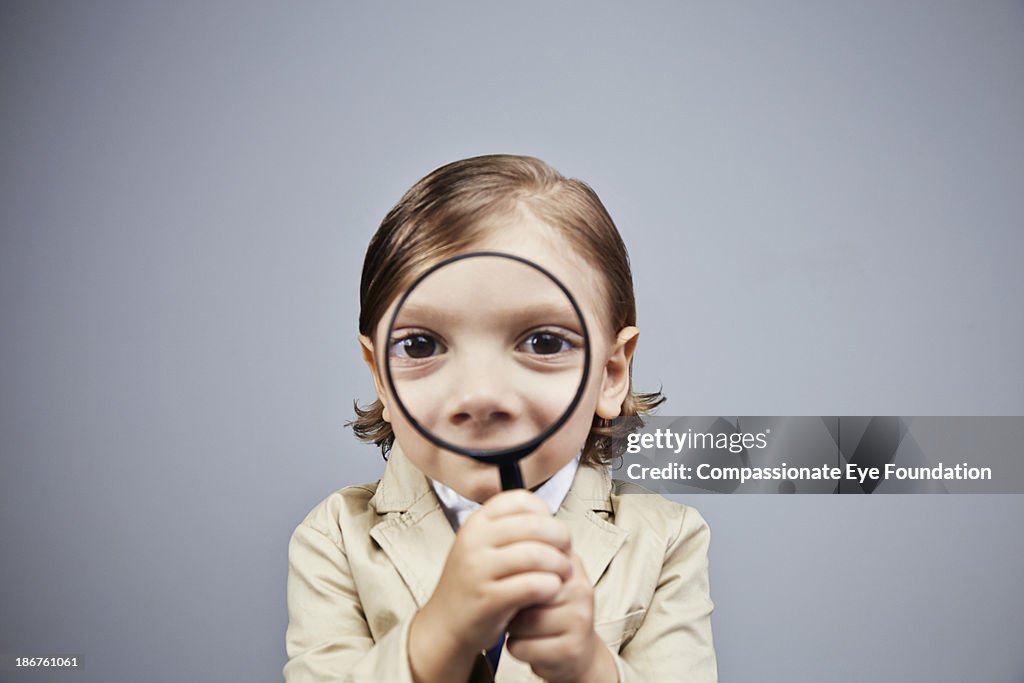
[(435, 575)]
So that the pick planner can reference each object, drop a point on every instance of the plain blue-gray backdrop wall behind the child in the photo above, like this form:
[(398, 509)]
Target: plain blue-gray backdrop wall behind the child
[(824, 204)]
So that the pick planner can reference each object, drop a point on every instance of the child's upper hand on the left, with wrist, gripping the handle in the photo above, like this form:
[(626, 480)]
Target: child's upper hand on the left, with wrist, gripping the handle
[(509, 556)]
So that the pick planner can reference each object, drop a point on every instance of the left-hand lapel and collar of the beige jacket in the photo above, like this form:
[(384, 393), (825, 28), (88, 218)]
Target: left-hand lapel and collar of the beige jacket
[(413, 531)]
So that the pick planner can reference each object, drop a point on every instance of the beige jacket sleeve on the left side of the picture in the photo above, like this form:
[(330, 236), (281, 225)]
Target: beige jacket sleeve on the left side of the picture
[(328, 638)]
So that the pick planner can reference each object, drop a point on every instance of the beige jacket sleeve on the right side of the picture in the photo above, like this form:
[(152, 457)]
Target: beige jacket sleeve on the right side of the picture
[(674, 643)]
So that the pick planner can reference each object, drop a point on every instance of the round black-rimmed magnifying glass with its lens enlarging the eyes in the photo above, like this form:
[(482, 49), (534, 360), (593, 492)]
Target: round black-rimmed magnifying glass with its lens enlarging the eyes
[(488, 355)]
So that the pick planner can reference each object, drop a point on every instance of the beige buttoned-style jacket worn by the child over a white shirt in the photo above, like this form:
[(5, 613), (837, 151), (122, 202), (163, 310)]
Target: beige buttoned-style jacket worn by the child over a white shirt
[(365, 560)]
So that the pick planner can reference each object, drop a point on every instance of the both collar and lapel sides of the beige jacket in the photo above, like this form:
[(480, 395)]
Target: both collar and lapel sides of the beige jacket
[(416, 536)]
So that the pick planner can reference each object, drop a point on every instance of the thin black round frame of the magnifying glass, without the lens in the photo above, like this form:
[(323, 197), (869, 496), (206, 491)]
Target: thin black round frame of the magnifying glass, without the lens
[(506, 459)]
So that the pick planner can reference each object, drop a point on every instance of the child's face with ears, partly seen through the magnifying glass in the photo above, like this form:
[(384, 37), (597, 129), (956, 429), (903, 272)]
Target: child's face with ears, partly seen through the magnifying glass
[(481, 402)]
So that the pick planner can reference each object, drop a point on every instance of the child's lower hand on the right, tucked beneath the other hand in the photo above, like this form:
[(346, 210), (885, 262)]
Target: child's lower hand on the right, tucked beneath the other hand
[(558, 639)]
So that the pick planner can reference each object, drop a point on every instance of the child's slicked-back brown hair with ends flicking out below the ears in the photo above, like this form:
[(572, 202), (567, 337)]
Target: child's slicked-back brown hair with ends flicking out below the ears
[(449, 210)]
